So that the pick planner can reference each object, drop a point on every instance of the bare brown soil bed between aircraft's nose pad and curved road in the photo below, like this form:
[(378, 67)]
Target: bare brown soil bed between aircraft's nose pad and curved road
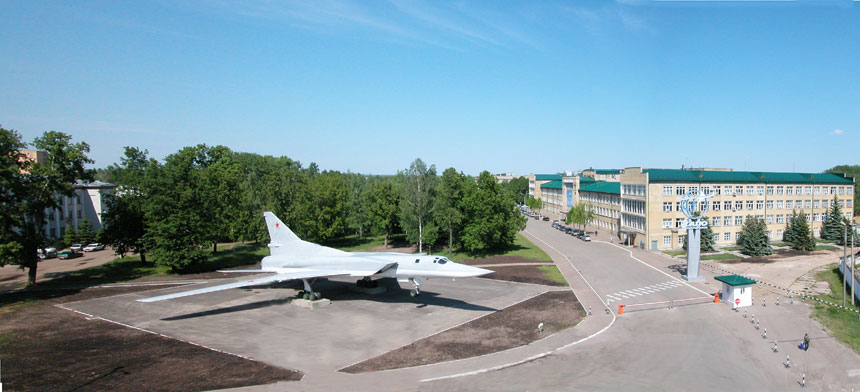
[(507, 328)]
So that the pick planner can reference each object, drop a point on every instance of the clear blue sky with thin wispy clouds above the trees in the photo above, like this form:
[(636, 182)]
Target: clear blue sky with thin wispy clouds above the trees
[(368, 86)]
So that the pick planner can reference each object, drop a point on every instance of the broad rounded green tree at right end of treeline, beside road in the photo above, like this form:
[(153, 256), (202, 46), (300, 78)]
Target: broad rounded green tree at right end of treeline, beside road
[(490, 217)]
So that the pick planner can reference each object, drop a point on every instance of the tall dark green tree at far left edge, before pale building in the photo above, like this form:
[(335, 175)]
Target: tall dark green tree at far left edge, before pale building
[(30, 189)]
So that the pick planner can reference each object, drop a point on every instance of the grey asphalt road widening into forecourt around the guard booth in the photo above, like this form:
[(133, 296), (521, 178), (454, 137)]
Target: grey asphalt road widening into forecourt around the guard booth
[(700, 346)]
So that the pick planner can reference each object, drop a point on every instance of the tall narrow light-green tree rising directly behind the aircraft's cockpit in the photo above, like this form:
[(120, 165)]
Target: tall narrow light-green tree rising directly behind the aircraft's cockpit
[(417, 190)]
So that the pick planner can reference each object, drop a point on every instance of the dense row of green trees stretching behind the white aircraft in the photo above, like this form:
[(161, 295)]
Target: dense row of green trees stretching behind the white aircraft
[(199, 196)]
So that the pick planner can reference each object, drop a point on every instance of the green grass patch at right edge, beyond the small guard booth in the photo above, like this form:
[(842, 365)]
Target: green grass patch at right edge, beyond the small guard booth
[(842, 324)]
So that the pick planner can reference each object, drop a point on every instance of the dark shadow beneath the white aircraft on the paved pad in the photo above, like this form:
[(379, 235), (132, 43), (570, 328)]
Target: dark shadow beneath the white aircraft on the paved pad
[(340, 292)]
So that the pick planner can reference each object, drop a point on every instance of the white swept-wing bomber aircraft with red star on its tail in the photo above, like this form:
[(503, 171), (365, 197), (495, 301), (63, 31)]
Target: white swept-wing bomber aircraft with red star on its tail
[(291, 258)]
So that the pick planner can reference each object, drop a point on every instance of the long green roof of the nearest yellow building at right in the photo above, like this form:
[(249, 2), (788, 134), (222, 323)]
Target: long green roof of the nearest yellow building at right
[(674, 175)]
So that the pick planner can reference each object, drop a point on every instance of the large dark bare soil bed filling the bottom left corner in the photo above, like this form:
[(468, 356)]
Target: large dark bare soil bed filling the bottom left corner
[(46, 348)]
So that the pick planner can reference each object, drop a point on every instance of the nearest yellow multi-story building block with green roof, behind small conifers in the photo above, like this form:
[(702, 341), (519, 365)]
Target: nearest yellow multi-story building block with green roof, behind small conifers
[(651, 214)]
